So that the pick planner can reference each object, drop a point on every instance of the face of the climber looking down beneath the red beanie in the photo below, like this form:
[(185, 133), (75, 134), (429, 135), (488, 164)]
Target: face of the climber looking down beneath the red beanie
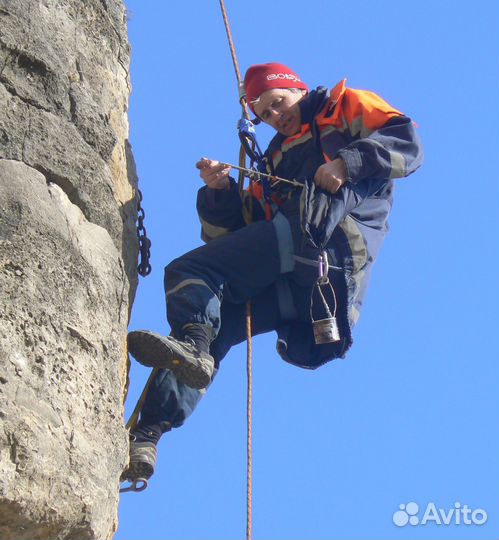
[(279, 108)]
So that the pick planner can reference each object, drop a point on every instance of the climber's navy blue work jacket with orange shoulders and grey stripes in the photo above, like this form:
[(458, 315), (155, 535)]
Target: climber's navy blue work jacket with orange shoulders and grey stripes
[(377, 144)]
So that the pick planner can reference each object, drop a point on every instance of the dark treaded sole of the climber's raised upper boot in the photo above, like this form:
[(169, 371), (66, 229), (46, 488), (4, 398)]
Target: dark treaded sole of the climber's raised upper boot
[(151, 350)]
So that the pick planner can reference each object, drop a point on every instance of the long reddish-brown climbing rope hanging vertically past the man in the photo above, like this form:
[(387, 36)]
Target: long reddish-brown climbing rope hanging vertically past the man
[(242, 164)]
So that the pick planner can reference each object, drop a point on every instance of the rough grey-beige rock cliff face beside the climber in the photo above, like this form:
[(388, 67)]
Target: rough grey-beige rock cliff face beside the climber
[(67, 265)]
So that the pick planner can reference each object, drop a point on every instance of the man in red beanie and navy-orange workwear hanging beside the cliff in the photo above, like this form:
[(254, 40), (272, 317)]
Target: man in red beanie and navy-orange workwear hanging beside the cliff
[(343, 148)]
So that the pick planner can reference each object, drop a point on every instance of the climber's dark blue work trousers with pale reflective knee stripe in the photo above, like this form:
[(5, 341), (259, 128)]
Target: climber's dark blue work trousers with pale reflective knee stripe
[(269, 263)]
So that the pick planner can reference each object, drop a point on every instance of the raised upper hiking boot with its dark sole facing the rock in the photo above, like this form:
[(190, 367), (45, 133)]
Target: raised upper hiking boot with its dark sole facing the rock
[(190, 365)]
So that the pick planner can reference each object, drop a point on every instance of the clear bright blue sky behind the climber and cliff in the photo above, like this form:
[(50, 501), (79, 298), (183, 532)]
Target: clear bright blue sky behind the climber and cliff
[(412, 414)]
